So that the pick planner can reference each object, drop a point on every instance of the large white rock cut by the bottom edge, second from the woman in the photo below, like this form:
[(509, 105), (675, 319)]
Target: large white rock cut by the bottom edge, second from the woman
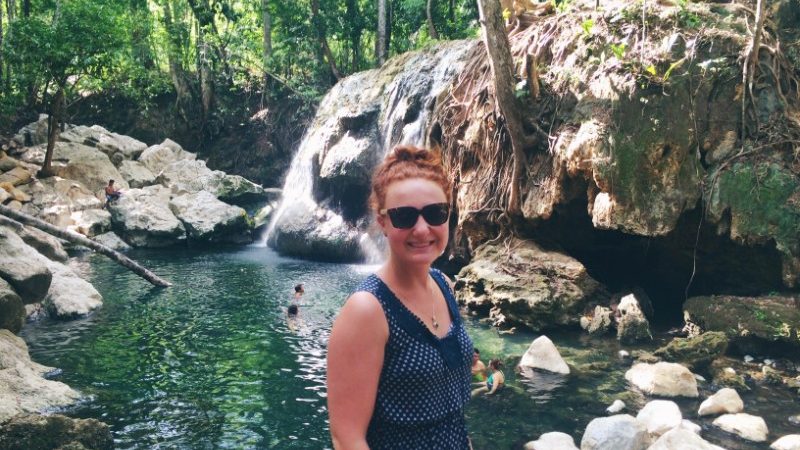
[(620, 432)]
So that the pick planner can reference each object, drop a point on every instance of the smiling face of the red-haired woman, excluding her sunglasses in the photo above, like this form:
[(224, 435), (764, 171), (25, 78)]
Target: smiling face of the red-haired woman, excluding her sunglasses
[(423, 242)]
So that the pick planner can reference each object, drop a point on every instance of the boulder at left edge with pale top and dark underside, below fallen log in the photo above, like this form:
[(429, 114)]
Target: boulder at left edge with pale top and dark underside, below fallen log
[(23, 267)]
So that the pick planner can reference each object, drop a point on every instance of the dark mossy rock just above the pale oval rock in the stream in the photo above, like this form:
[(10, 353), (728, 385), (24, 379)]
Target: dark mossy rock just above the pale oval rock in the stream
[(697, 352)]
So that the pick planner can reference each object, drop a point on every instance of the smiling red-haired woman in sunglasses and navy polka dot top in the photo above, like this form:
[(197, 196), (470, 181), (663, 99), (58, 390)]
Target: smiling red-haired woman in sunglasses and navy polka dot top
[(399, 357)]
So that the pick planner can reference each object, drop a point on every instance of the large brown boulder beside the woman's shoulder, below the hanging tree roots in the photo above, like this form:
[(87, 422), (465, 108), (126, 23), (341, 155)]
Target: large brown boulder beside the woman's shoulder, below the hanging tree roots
[(519, 282)]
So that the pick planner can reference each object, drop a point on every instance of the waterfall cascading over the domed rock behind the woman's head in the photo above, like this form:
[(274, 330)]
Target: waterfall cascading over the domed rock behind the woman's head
[(322, 212)]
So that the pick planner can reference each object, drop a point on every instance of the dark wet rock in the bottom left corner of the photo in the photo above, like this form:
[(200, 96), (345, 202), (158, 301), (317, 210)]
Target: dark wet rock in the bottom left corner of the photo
[(36, 432)]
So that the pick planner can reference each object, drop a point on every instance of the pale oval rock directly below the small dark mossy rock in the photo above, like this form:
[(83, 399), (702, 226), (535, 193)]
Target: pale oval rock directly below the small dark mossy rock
[(663, 379)]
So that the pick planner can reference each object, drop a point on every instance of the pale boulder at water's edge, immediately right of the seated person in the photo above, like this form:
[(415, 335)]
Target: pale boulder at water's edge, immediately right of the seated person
[(143, 218)]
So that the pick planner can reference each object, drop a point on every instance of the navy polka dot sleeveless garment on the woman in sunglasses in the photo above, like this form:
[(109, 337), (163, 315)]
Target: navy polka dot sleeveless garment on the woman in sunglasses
[(425, 381)]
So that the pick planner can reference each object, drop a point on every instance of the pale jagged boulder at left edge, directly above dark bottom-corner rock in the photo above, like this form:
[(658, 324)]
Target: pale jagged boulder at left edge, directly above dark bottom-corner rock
[(22, 388)]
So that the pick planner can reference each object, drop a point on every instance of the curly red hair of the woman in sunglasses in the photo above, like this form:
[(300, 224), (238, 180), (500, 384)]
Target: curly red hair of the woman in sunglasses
[(405, 162)]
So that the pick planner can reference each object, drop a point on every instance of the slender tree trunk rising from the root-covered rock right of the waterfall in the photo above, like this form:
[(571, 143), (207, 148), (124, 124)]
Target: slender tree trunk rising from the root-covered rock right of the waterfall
[(502, 65)]
